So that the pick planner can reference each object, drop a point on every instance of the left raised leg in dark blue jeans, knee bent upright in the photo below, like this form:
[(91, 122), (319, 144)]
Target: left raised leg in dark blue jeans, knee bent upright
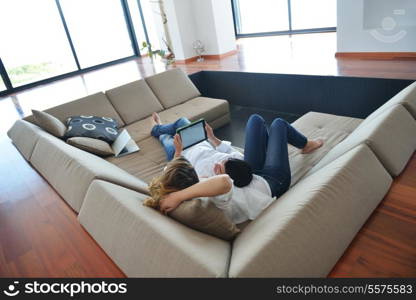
[(256, 142)]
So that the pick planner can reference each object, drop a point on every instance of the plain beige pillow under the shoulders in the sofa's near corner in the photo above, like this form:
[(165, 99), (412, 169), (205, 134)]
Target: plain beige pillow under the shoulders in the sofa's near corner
[(206, 217)]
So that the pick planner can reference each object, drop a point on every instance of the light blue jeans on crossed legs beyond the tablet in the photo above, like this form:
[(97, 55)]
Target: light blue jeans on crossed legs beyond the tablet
[(165, 133)]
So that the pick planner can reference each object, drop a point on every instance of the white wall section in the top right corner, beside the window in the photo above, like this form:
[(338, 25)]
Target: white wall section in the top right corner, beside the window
[(376, 26)]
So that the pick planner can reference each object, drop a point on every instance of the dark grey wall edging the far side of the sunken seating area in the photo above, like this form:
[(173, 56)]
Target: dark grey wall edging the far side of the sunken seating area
[(299, 94)]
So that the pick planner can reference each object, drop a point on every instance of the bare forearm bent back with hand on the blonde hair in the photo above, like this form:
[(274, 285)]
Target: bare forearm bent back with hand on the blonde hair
[(214, 186)]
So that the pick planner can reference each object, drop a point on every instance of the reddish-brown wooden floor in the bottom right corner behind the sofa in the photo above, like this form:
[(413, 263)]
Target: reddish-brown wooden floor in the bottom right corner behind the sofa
[(386, 245)]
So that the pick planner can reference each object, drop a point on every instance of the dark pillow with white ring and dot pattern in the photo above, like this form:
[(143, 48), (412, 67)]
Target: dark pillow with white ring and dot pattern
[(102, 128)]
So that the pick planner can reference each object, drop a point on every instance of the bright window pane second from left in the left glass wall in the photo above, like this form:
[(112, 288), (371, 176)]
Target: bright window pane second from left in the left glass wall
[(98, 30)]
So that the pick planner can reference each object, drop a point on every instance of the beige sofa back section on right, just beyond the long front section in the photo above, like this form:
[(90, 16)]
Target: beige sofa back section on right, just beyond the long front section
[(391, 136)]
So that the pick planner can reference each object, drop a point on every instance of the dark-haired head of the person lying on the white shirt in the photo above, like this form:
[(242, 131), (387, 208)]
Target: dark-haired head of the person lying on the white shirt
[(239, 171)]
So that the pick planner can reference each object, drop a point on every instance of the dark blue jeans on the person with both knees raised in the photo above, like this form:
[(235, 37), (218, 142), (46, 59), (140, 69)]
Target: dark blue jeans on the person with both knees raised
[(266, 151)]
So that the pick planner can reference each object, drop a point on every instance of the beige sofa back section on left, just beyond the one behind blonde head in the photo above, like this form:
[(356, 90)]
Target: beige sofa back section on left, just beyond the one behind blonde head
[(71, 170)]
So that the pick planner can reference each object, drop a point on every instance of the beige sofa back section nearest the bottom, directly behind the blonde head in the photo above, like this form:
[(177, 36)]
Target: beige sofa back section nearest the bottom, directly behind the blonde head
[(145, 243)]
